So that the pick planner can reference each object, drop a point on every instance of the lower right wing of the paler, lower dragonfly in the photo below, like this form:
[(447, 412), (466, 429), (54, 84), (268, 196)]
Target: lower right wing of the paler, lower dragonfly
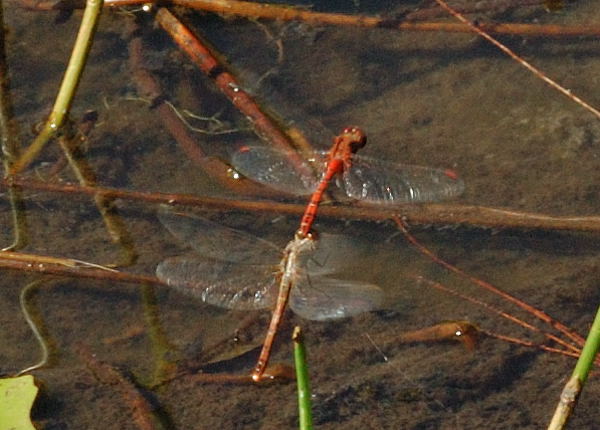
[(327, 298)]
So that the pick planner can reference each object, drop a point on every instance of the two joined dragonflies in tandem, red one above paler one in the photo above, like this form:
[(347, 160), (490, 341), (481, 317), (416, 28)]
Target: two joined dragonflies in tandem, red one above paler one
[(235, 270)]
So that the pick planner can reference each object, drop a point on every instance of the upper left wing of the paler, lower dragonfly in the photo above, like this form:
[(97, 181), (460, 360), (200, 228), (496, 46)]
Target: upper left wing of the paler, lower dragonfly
[(216, 241)]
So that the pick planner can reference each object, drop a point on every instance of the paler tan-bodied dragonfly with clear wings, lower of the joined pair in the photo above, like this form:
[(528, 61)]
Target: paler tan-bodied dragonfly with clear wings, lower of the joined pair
[(236, 270)]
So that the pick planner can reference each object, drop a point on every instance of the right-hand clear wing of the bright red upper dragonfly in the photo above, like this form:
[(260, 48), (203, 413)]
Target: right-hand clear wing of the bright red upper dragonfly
[(378, 181)]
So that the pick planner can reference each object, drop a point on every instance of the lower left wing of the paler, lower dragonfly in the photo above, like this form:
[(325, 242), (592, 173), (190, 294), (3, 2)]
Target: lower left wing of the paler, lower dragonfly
[(220, 283)]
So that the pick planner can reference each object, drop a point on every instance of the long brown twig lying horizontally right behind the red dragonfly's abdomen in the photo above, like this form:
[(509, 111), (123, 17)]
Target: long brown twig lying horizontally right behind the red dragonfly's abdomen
[(440, 214)]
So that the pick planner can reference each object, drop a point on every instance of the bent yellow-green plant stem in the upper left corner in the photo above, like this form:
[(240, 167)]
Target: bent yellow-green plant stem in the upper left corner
[(69, 84)]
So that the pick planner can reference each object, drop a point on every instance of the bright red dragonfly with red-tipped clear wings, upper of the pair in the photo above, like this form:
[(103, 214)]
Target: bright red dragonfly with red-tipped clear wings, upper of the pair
[(361, 178)]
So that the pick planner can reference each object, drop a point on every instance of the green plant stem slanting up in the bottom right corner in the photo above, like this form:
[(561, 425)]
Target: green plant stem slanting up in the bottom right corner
[(573, 387)]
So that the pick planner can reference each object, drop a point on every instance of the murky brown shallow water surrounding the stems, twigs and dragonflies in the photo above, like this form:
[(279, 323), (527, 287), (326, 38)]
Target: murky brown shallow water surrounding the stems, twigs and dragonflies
[(434, 99)]
